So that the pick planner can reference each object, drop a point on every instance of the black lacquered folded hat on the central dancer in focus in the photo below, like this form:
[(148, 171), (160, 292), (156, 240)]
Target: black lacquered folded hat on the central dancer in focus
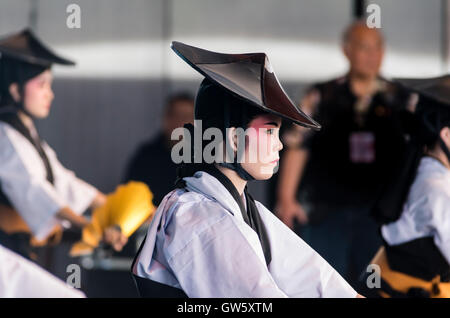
[(248, 76)]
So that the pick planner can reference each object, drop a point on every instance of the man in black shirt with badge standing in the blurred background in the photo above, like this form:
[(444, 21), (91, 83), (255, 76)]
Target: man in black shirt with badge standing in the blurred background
[(363, 132)]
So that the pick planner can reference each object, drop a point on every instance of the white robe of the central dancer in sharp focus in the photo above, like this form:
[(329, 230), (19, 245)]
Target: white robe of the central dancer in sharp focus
[(199, 242)]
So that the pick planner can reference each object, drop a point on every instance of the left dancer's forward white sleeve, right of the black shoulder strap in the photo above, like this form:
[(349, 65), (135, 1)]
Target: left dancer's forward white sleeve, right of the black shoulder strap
[(77, 193)]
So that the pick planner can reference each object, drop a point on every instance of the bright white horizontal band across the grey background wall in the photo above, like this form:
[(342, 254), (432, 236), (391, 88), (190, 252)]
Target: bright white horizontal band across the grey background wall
[(291, 60)]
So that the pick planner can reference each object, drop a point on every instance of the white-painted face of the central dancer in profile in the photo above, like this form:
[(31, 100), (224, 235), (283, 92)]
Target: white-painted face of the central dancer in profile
[(262, 146)]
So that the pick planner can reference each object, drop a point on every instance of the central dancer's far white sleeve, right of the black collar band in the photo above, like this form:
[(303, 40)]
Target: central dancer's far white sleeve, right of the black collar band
[(296, 268)]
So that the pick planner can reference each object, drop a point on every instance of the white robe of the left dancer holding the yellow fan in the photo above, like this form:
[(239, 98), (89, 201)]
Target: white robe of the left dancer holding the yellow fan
[(23, 181)]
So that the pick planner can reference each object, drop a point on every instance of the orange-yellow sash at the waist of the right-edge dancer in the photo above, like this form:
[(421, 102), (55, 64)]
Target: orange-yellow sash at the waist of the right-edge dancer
[(402, 282)]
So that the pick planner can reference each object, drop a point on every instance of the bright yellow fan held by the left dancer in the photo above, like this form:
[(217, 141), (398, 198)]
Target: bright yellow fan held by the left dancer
[(128, 207)]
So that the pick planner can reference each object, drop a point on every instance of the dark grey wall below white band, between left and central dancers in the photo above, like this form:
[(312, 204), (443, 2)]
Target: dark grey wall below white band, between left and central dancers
[(96, 124)]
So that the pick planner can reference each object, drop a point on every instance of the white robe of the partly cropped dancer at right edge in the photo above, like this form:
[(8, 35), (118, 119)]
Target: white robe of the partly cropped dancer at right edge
[(426, 211)]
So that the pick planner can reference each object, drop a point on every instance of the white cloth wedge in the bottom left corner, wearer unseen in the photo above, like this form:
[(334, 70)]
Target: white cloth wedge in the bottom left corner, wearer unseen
[(20, 278)]
